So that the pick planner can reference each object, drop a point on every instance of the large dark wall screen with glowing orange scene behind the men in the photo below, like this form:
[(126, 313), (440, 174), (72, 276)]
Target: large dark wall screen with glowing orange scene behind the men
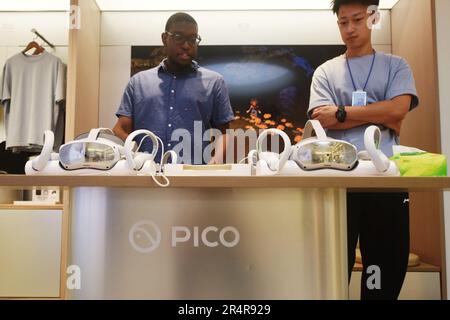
[(269, 85)]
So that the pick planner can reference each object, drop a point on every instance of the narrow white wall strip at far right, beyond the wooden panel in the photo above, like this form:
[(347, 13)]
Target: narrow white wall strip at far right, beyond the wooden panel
[(443, 47)]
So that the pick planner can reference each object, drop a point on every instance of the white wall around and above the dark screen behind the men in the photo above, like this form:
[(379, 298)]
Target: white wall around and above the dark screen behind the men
[(121, 30)]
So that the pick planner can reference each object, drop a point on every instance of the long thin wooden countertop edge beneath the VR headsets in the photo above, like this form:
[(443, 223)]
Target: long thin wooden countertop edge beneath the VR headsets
[(357, 183)]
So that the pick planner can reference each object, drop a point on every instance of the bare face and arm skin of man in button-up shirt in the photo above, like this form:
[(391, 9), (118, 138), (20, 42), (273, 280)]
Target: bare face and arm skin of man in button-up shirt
[(179, 60)]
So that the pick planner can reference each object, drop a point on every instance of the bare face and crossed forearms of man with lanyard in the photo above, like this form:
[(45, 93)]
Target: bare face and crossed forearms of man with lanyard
[(353, 22)]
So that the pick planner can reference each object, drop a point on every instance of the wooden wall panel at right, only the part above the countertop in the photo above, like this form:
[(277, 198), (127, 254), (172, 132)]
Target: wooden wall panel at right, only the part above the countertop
[(413, 38)]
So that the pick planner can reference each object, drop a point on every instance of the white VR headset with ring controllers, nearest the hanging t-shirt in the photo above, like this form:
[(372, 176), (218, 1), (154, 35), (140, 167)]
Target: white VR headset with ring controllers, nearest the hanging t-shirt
[(98, 152)]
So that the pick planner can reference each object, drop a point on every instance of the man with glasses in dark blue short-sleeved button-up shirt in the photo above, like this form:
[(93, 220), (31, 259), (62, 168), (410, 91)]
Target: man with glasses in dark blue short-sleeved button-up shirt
[(177, 94)]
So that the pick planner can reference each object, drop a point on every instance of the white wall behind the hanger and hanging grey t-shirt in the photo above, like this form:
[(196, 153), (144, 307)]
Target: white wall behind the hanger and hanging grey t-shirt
[(15, 34)]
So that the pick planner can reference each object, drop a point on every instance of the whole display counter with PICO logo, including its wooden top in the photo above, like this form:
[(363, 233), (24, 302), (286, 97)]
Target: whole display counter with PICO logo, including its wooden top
[(212, 237)]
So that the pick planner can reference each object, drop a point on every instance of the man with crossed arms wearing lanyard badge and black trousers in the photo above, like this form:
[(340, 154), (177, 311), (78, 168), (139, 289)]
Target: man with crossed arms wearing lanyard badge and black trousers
[(348, 94)]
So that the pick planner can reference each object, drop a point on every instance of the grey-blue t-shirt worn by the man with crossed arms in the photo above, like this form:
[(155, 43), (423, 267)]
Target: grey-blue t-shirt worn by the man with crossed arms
[(332, 85)]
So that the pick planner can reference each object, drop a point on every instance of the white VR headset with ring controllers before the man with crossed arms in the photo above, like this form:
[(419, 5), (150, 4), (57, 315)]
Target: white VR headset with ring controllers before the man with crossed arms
[(318, 154)]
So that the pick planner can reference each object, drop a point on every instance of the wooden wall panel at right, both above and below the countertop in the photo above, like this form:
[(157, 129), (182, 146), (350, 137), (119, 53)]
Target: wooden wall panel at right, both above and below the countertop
[(413, 37)]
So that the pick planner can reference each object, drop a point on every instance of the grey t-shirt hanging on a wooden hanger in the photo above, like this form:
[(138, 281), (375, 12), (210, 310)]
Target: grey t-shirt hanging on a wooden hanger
[(30, 89)]
